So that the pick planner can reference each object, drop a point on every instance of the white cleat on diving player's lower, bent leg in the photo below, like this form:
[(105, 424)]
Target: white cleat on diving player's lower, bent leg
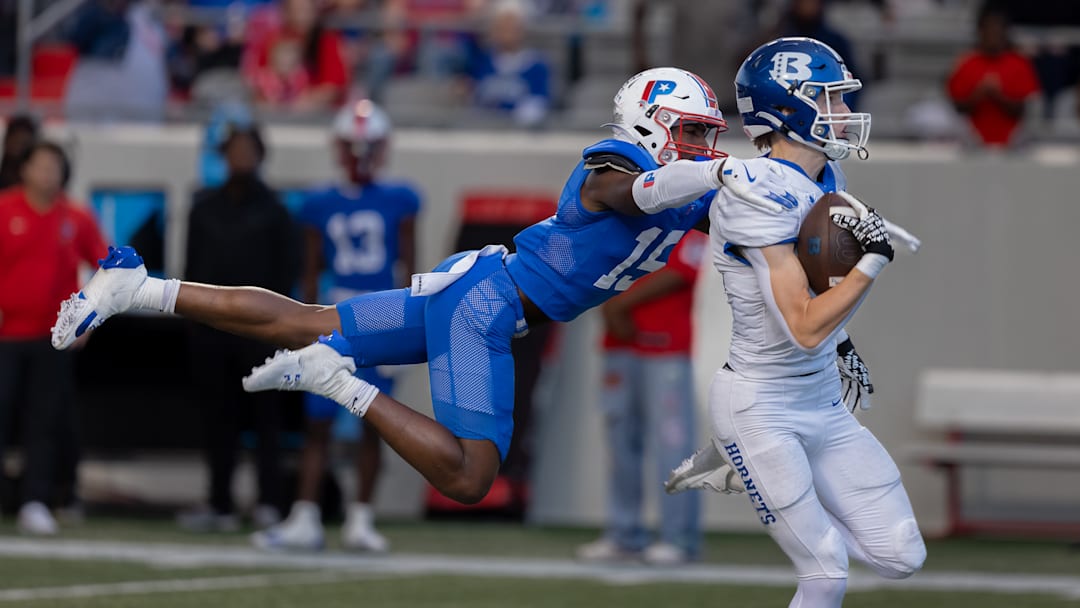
[(313, 369)]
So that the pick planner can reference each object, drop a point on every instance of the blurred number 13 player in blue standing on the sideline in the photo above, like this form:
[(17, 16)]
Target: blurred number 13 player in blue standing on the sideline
[(359, 232)]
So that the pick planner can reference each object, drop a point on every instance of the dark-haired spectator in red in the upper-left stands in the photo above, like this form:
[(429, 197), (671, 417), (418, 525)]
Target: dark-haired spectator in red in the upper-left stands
[(296, 63)]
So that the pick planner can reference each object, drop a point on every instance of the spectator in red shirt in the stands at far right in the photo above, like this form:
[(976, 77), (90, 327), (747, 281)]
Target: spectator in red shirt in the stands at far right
[(992, 84)]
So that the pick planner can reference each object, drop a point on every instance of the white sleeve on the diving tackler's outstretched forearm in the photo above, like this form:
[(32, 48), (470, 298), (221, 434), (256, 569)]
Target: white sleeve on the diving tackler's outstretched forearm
[(676, 185)]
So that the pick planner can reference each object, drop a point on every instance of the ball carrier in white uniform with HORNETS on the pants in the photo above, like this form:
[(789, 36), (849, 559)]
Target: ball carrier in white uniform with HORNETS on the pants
[(822, 485)]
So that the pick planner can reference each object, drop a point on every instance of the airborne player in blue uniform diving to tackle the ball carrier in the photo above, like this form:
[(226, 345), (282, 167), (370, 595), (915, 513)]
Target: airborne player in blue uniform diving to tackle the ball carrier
[(628, 201)]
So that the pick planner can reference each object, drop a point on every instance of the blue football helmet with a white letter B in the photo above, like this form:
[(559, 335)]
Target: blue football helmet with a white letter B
[(793, 86)]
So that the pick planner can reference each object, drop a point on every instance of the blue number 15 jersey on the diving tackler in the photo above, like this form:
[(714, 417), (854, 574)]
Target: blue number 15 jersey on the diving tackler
[(579, 259)]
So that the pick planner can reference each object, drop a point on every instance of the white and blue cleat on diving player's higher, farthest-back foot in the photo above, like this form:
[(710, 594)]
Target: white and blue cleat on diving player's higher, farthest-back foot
[(110, 292)]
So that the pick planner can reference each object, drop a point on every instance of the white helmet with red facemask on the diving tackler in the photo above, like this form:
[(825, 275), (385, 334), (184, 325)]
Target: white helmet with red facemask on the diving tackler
[(653, 107)]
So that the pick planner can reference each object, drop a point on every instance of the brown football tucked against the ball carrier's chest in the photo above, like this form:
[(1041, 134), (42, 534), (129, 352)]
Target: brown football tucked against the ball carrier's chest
[(827, 251)]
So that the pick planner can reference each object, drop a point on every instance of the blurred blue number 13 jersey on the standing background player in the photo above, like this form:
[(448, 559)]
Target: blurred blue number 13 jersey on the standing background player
[(360, 232)]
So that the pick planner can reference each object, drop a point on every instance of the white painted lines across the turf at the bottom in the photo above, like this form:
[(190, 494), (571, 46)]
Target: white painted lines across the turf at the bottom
[(343, 564)]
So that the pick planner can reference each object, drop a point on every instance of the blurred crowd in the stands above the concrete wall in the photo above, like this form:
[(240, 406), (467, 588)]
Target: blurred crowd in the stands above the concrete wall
[(535, 64)]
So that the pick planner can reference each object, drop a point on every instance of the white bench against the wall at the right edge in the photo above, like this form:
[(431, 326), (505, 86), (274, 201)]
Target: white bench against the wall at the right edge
[(1001, 420)]
